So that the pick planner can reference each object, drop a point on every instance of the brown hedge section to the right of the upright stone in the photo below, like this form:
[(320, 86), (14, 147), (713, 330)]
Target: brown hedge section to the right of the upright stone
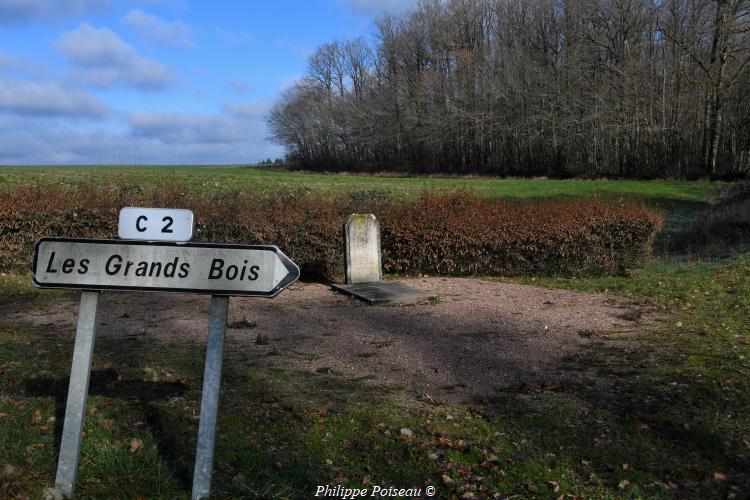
[(457, 234)]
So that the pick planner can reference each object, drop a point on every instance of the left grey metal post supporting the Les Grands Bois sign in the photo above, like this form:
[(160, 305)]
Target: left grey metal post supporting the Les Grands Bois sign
[(75, 411)]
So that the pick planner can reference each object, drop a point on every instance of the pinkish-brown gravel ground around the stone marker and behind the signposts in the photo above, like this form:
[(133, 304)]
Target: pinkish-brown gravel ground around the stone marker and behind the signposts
[(478, 338)]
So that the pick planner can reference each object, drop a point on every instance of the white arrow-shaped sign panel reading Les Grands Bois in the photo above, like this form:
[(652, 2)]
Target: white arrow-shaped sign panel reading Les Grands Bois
[(258, 270)]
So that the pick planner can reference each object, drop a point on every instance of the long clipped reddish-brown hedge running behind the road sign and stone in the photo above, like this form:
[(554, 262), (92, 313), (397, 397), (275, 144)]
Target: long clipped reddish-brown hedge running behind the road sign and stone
[(450, 233)]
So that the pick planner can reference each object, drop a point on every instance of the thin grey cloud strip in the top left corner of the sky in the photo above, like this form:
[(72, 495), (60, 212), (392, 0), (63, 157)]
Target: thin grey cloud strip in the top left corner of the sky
[(46, 11)]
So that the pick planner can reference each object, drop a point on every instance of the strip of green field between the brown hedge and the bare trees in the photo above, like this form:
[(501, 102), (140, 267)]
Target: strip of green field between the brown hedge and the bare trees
[(252, 178)]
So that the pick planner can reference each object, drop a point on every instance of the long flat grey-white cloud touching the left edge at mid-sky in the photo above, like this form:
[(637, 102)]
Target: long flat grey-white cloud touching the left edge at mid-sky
[(27, 98)]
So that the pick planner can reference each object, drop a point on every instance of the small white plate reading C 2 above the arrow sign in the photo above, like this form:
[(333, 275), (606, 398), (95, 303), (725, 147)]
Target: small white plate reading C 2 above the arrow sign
[(155, 224)]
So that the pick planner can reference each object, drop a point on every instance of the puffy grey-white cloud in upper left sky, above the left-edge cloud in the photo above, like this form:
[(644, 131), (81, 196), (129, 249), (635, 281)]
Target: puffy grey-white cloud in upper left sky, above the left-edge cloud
[(102, 59)]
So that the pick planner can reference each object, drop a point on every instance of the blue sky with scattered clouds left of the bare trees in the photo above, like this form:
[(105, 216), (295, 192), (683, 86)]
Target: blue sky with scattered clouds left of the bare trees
[(157, 81)]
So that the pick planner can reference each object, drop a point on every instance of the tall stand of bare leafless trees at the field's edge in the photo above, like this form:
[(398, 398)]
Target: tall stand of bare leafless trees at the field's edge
[(622, 88)]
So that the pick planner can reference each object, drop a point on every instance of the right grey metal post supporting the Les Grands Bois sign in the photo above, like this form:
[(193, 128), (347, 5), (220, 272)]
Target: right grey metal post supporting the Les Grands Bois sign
[(204, 455)]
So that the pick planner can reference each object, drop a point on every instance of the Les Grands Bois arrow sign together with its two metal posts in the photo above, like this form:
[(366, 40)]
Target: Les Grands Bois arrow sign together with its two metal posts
[(94, 265)]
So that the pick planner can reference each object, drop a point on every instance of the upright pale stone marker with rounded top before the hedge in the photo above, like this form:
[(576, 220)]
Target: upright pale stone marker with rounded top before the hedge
[(363, 261)]
